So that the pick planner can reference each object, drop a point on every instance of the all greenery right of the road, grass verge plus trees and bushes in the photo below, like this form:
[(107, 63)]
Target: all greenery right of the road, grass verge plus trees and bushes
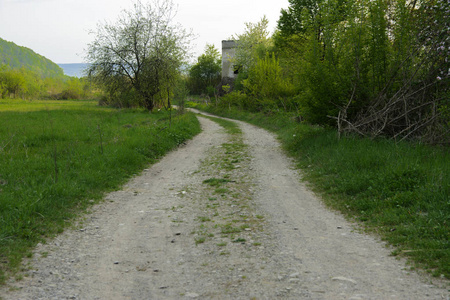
[(358, 92)]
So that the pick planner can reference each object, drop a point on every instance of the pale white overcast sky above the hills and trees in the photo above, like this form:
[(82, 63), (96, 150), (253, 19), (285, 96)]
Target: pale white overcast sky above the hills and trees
[(59, 29)]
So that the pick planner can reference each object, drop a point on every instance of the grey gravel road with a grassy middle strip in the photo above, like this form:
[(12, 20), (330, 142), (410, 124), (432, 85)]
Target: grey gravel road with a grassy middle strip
[(224, 217)]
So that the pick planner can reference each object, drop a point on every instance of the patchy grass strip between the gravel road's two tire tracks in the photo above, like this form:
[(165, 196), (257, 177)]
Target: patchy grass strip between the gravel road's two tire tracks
[(228, 214)]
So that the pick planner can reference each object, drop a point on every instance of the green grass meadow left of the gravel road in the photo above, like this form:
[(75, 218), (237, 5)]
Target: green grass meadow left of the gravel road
[(56, 158)]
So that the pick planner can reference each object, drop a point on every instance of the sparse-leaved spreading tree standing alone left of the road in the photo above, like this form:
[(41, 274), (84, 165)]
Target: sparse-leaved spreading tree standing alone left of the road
[(140, 55)]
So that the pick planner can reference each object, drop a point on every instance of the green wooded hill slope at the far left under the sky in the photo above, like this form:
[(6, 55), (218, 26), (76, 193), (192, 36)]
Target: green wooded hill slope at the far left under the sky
[(15, 57)]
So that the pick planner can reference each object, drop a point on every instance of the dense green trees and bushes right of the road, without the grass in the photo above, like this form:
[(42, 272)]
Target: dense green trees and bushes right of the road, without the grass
[(371, 68)]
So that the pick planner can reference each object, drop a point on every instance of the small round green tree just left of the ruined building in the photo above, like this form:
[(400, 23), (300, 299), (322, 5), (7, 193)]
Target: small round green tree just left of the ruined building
[(206, 73)]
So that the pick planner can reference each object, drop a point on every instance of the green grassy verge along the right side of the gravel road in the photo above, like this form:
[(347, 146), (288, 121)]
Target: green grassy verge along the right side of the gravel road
[(398, 190)]
